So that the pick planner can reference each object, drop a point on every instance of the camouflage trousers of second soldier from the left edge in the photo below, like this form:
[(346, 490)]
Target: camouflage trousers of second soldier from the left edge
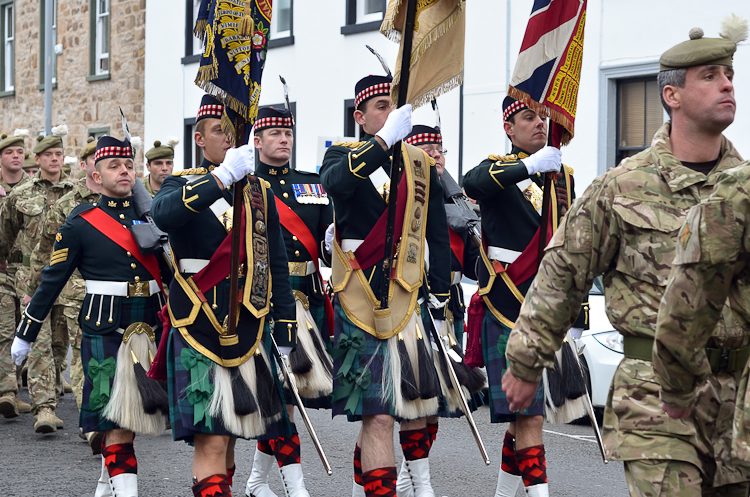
[(46, 361)]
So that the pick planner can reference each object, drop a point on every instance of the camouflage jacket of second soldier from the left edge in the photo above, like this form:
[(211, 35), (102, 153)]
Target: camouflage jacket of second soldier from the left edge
[(22, 214)]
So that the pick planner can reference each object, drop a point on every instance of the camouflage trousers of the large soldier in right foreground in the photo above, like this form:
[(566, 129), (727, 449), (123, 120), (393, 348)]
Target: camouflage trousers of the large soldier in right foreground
[(655, 478)]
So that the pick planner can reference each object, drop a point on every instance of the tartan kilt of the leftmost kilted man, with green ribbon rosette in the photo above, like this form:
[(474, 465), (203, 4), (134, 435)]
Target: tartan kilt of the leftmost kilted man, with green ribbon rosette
[(101, 347)]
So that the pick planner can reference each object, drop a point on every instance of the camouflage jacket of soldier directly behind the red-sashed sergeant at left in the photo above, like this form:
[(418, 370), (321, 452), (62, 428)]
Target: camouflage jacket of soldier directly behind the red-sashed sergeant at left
[(75, 289)]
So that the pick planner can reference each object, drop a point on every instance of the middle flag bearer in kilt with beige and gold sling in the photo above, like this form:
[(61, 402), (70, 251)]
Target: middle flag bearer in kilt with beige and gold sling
[(383, 370)]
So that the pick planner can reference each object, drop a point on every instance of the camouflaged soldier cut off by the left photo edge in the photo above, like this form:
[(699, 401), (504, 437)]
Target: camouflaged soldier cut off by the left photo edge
[(11, 177)]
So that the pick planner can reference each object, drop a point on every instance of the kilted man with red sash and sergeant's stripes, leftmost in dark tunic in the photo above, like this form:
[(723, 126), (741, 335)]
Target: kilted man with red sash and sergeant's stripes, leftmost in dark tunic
[(119, 317)]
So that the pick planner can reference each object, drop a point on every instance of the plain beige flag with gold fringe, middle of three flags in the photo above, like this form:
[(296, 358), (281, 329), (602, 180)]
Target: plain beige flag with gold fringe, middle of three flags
[(437, 58)]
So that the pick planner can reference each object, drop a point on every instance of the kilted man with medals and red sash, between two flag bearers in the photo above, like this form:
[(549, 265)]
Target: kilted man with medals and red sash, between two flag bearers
[(305, 213)]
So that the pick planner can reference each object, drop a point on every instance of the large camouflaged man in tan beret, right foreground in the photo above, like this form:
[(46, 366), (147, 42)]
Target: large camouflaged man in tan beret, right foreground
[(625, 227)]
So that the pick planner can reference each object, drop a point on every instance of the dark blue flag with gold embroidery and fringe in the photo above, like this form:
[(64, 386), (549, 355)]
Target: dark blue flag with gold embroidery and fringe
[(235, 36)]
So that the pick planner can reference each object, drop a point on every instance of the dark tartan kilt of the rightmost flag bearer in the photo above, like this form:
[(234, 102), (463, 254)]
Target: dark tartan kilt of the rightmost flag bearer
[(494, 339)]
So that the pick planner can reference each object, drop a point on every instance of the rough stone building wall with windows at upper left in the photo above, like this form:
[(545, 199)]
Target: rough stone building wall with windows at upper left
[(80, 104)]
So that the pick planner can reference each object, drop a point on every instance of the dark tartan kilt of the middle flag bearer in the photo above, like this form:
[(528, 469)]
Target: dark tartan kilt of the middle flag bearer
[(373, 358)]
